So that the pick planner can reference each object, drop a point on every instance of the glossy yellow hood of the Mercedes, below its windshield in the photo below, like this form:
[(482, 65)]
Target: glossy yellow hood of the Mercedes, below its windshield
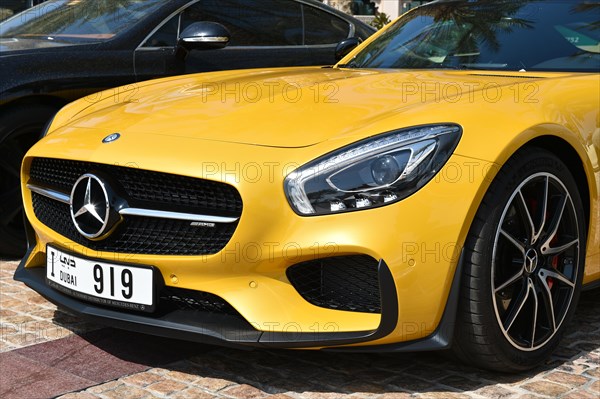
[(288, 107)]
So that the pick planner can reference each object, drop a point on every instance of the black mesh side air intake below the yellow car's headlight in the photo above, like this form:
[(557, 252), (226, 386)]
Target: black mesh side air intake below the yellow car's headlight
[(343, 283)]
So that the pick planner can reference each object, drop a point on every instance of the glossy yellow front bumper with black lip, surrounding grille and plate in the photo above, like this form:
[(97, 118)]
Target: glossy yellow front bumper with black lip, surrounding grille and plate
[(417, 243)]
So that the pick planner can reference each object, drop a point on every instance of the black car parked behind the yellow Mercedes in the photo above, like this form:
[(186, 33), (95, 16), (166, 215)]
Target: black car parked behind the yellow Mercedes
[(62, 50)]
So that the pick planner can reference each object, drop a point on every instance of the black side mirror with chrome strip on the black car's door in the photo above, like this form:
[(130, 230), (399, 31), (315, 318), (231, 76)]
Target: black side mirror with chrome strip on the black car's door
[(204, 36)]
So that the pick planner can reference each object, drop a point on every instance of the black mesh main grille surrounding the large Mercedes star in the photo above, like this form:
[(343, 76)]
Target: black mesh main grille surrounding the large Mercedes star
[(148, 190)]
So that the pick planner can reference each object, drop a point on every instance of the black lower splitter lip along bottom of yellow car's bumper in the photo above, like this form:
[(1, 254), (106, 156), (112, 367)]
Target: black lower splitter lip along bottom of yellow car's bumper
[(232, 331)]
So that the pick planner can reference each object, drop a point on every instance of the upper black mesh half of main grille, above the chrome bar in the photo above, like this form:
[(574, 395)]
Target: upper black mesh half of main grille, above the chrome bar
[(143, 187)]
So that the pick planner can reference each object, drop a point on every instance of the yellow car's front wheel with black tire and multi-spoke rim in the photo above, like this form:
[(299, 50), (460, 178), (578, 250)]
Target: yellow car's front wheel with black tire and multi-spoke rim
[(522, 277)]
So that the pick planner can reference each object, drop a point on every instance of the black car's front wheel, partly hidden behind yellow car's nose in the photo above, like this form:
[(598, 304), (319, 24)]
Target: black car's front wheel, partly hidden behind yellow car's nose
[(20, 128)]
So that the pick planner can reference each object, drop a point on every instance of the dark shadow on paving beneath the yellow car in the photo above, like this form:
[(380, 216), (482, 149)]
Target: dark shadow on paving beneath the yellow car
[(335, 373)]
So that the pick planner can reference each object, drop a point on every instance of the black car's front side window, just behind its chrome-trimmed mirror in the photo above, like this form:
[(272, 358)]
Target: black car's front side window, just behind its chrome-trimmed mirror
[(251, 22)]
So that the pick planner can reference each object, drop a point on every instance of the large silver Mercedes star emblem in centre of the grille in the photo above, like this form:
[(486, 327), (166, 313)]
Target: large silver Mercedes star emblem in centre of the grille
[(90, 206)]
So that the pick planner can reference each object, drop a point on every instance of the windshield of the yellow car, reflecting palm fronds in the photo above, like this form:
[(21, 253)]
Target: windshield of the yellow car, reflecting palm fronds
[(510, 35)]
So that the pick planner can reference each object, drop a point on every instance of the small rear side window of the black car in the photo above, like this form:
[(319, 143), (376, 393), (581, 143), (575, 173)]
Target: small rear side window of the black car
[(321, 27)]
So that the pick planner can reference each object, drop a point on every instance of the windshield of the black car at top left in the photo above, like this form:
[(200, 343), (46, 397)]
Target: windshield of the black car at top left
[(77, 21)]
